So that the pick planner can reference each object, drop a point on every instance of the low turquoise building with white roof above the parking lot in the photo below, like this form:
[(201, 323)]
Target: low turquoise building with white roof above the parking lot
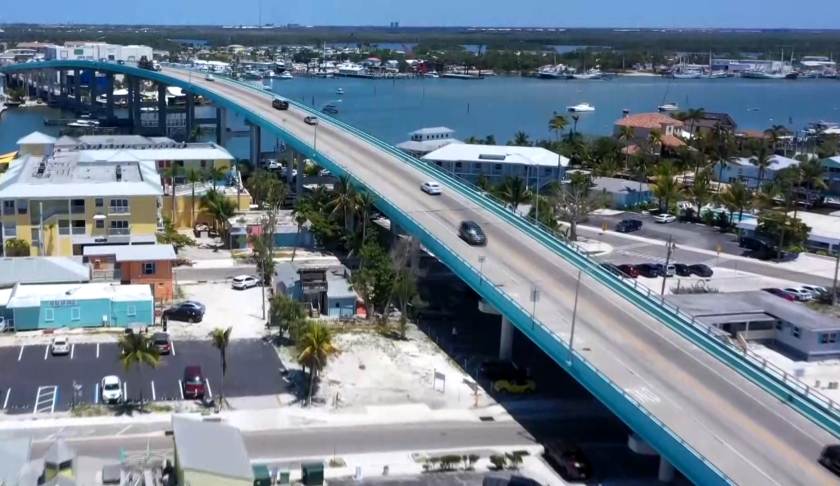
[(34, 307)]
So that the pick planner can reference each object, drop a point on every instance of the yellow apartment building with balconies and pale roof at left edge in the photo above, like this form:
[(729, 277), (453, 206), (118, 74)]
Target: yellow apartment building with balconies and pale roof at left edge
[(61, 200)]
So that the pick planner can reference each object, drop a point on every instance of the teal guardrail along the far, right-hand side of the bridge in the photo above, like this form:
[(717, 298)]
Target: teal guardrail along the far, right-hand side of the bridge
[(798, 394)]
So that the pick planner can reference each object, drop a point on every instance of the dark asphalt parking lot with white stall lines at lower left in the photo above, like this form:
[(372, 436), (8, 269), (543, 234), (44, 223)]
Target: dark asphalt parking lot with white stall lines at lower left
[(33, 380)]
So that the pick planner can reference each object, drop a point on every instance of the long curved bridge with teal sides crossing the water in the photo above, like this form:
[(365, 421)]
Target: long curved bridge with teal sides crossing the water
[(717, 415)]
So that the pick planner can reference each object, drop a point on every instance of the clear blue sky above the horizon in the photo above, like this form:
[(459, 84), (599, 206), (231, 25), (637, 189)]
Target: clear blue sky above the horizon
[(819, 14)]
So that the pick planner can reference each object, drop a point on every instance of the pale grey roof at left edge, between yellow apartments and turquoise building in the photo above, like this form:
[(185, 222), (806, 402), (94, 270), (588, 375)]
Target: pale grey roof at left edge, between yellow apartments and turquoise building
[(41, 270)]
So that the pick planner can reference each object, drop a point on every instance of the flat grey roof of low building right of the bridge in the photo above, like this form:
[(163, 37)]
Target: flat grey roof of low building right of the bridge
[(742, 306)]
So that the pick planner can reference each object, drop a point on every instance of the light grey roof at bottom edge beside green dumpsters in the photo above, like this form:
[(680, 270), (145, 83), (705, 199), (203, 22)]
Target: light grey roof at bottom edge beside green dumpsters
[(197, 446)]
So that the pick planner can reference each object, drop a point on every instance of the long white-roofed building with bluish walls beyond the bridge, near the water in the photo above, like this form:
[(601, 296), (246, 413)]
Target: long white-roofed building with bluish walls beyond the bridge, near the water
[(536, 165)]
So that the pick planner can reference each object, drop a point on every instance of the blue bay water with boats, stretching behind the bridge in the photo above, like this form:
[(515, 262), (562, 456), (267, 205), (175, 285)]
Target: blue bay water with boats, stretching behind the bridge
[(504, 105)]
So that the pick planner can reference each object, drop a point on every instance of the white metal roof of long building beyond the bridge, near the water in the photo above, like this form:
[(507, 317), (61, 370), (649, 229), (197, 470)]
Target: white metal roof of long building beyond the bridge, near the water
[(497, 154)]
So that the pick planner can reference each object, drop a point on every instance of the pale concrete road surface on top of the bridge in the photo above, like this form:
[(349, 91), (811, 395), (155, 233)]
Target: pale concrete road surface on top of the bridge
[(748, 434)]
